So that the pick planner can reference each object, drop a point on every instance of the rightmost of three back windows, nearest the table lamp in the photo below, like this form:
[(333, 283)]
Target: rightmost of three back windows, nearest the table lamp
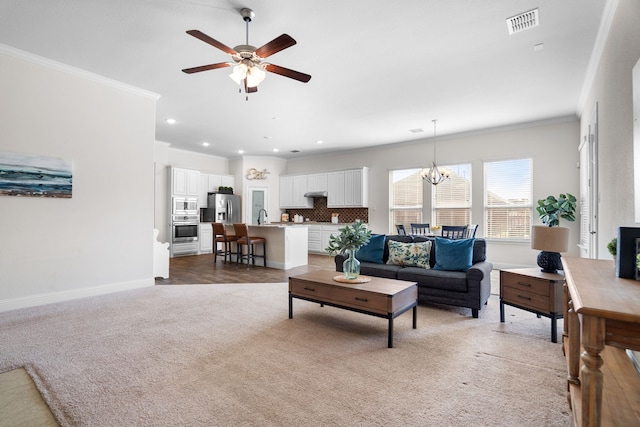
[(508, 198)]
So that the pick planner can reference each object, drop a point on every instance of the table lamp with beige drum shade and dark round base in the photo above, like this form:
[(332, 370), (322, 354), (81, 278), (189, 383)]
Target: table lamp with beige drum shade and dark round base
[(551, 241)]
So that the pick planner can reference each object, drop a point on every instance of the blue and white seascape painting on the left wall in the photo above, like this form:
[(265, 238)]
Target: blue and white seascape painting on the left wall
[(34, 176)]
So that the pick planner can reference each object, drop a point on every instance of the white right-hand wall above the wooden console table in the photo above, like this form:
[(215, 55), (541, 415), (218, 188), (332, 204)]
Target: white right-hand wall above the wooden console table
[(612, 91)]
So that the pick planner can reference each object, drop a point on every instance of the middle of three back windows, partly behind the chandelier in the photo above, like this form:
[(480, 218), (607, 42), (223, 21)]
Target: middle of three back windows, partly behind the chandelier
[(452, 197)]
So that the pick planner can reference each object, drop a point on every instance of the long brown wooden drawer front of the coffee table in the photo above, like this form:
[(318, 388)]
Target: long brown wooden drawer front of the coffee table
[(355, 298)]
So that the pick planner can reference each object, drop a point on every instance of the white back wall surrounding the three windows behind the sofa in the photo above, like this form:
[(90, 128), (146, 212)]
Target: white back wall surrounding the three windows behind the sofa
[(553, 146)]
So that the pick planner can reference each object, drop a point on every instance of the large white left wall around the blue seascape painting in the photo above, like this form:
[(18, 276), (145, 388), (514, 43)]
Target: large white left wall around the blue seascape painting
[(101, 239)]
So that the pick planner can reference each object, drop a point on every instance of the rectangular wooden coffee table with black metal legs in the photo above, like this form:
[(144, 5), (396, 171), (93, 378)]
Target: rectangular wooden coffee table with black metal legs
[(387, 298)]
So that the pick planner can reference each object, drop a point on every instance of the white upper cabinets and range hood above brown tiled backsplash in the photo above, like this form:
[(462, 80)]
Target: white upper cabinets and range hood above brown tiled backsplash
[(345, 189)]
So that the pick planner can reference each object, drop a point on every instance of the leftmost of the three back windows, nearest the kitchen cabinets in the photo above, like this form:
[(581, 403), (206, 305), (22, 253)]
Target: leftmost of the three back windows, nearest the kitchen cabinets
[(406, 198)]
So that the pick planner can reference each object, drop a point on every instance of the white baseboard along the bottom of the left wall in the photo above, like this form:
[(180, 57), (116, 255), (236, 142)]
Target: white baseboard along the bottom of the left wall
[(53, 297)]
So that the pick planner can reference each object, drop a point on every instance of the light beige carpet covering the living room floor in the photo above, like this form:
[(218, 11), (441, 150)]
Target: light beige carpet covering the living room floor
[(204, 355)]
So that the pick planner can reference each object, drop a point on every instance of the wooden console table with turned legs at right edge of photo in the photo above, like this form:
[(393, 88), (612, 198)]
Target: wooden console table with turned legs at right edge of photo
[(602, 318)]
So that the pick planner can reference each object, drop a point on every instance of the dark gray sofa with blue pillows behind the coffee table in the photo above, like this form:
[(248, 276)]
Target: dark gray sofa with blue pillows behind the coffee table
[(469, 289)]
